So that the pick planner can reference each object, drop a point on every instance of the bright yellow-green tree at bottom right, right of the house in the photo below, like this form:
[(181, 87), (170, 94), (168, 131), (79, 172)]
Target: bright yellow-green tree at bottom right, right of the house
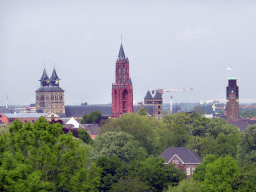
[(219, 174)]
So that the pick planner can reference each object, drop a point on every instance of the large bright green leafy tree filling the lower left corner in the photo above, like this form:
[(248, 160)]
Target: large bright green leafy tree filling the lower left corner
[(54, 157)]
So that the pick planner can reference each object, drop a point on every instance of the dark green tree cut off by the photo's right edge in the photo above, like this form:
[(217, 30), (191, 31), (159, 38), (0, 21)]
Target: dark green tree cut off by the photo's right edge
[(247, 146)]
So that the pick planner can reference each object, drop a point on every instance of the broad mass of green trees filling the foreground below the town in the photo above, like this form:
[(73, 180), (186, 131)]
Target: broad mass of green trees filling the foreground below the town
[(125, 156)]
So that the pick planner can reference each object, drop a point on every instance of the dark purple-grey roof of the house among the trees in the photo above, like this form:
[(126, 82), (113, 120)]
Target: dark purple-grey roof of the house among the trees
[(183, 153)]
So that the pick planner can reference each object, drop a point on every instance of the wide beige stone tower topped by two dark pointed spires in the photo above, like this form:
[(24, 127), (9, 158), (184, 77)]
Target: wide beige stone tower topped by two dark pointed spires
[(50, 97)]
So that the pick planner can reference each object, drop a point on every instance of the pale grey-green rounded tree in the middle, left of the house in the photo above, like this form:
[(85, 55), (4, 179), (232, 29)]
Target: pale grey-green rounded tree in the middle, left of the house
[(121, 144)]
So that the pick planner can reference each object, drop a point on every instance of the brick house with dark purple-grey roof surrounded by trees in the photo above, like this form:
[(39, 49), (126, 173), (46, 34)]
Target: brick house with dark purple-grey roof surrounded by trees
[(182, 157)]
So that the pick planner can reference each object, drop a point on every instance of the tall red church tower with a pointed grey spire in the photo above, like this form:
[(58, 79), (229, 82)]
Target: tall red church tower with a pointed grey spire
[(122, 93)]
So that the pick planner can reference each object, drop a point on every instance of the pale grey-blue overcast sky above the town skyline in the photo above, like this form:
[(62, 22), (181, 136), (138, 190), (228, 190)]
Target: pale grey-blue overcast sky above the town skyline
[(172, 44)]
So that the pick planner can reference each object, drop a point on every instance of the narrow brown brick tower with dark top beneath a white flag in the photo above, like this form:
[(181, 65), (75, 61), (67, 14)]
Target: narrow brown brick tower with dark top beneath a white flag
[(232, 100)]
